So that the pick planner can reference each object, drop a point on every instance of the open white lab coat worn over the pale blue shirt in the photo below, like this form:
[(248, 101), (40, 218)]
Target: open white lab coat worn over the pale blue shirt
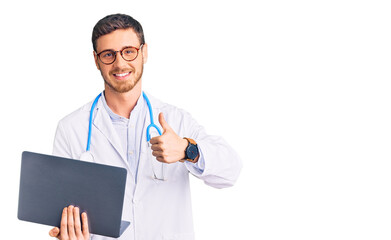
[(155, 209)]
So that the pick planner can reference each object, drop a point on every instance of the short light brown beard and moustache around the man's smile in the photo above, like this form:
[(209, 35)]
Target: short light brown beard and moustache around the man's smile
[(123, 86)]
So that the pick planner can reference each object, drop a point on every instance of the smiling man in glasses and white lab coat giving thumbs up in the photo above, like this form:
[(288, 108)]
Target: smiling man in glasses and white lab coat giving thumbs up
[(157, 199)]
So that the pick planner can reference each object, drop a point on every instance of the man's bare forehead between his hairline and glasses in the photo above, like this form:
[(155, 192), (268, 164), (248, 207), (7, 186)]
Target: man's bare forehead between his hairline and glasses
[(117, 40)]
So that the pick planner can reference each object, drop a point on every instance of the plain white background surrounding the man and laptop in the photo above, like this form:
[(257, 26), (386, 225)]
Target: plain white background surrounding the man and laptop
[(301, 89)]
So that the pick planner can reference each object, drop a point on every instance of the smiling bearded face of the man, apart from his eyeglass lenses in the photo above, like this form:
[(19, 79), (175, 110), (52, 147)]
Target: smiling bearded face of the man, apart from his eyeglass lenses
[(121, 76)]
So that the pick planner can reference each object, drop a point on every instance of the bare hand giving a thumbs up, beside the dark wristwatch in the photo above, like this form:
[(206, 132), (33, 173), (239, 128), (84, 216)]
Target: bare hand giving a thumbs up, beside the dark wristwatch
[(168, 147)]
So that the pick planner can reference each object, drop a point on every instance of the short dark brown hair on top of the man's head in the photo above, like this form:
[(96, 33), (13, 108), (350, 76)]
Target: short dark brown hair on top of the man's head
[(113, 22)]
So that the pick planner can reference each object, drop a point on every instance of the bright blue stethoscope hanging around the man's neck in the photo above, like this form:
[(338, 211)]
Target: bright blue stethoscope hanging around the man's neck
[(87, 155)]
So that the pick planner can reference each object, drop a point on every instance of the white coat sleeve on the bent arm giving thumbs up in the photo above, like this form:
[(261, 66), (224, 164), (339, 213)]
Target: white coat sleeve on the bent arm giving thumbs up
[(220, 164)]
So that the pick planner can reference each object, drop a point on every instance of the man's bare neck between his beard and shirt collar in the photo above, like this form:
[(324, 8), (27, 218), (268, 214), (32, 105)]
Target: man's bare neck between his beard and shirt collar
[(122, 103)]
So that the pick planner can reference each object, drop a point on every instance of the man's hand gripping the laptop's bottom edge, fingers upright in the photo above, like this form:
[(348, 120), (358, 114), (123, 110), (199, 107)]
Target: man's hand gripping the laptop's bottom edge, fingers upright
[(71, 226)]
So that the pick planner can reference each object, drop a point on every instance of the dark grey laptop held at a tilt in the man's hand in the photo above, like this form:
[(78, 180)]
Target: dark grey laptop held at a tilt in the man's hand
[(49, 183)]
